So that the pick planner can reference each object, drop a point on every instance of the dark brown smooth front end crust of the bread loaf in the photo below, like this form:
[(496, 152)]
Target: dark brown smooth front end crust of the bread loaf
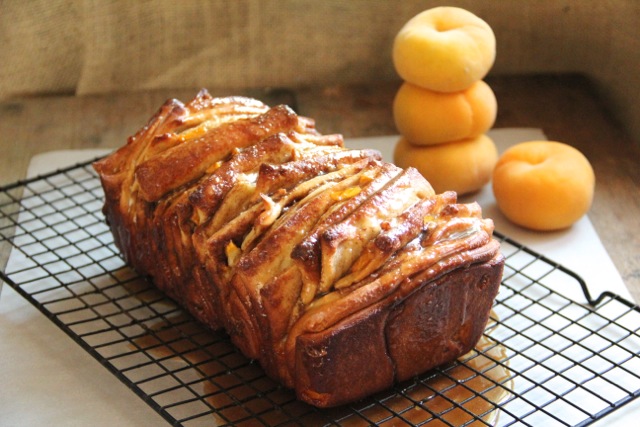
[(387, 343)]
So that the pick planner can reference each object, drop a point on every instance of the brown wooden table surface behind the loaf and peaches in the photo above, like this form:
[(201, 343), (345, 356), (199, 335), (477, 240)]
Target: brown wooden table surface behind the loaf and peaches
[(565, 107)]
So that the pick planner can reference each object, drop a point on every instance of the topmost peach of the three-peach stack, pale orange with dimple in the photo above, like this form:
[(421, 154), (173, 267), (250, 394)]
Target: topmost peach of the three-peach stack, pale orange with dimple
[(444, 49)]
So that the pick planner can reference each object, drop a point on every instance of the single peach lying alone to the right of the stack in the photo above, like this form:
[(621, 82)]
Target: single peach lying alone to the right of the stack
[(543, 185)]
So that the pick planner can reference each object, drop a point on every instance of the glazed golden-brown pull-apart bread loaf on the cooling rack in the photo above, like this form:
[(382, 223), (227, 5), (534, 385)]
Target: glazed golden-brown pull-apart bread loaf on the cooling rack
[(340, 273)]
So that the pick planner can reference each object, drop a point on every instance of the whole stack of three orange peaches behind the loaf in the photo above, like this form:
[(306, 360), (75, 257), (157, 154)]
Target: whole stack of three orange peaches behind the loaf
[(443, 108)]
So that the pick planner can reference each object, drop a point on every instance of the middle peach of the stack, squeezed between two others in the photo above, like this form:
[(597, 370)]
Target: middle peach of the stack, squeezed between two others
[(426, 117)]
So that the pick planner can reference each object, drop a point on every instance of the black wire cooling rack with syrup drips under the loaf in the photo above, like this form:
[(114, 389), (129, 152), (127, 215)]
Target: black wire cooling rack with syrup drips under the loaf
[(544, 359)]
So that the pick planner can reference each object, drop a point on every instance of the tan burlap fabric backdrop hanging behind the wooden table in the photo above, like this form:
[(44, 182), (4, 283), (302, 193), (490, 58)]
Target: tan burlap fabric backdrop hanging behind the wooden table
[(99, 46)]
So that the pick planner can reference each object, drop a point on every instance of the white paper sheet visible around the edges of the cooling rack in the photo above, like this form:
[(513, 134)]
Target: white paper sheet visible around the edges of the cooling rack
[(47, 379)]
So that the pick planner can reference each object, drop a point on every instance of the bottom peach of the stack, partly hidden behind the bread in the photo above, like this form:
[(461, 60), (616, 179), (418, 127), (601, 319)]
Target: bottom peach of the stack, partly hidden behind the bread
[(461, 166)]
